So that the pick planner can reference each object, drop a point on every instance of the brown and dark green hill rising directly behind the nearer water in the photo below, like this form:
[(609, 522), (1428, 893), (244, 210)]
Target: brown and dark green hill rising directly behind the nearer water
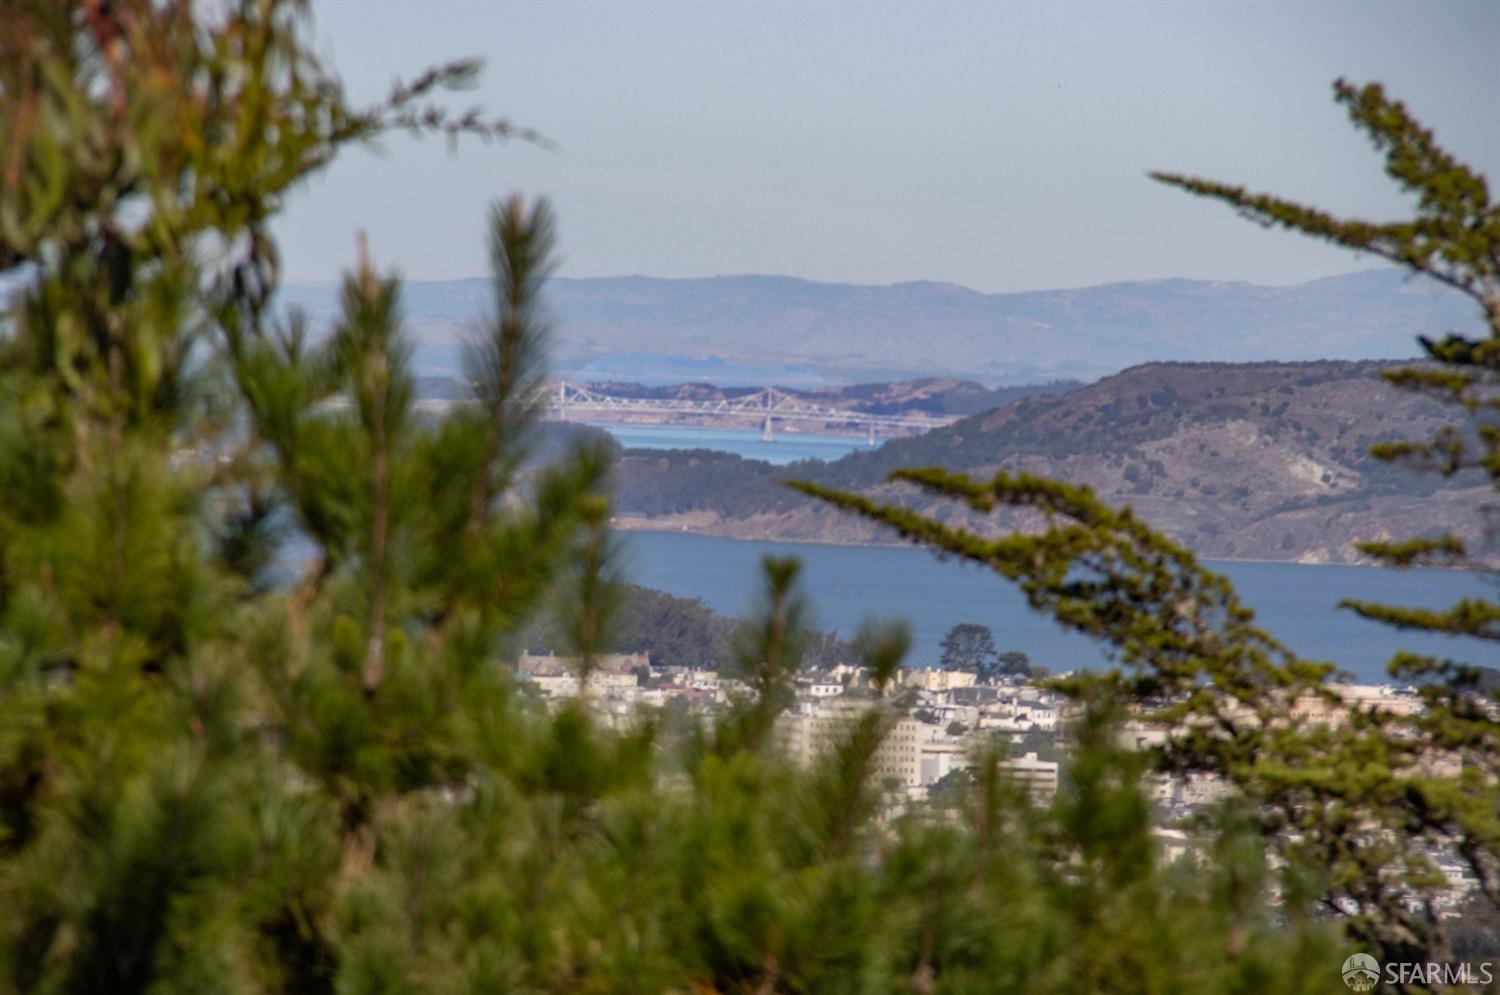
[(1250, 460)]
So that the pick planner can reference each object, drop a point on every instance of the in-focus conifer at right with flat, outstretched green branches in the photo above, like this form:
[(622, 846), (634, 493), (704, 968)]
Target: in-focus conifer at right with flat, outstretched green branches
[(1369, 802)]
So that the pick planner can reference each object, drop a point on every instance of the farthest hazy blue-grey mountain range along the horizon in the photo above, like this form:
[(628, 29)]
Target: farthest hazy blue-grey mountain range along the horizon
[(761, 329)]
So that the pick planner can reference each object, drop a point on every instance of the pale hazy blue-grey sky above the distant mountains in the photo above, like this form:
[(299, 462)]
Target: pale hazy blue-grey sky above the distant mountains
[(997, 146)]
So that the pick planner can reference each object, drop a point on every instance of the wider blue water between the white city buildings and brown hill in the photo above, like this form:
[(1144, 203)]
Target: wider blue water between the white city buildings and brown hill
[(1297, 604)]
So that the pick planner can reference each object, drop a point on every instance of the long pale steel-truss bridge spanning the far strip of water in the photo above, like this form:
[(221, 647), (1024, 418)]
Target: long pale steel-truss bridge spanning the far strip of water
[(766, 407)]
